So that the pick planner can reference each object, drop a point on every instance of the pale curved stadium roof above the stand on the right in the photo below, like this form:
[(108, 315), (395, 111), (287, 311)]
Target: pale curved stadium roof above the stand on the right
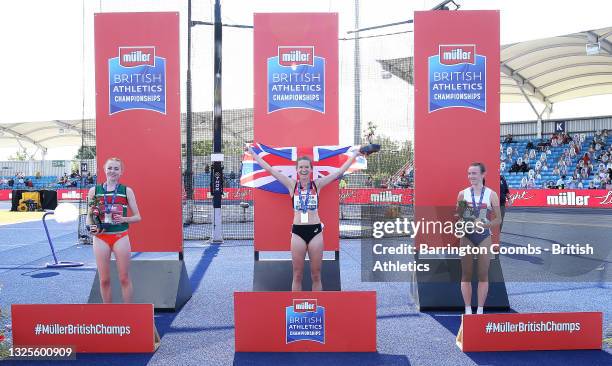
[(549, 70)]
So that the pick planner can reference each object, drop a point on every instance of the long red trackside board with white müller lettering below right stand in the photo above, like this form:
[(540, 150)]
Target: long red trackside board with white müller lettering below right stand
[(594, 198)]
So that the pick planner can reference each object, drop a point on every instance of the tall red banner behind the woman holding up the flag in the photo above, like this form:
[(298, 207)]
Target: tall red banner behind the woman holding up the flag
[(295, 104)]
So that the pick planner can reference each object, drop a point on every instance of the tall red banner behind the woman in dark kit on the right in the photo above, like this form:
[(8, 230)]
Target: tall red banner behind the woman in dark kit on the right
[(456, 108)]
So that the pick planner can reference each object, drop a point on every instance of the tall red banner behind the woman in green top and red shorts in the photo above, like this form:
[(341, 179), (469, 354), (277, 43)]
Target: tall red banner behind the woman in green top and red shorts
[(138, 118)]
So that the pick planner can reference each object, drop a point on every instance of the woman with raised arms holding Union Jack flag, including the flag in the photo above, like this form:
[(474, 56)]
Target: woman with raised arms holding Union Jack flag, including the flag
[(307, 229)]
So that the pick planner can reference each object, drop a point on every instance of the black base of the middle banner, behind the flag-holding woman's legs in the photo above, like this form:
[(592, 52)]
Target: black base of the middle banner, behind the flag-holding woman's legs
[(277, 274)]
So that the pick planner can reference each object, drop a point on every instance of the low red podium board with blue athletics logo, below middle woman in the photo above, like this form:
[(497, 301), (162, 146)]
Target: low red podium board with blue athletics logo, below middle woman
[(318, 321)]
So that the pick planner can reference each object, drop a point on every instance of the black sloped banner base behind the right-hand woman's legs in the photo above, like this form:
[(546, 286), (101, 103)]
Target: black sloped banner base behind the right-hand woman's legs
[(440, 287)]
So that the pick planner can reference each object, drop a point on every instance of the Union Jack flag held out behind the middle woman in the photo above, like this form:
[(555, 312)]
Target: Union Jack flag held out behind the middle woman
[(325, 160)]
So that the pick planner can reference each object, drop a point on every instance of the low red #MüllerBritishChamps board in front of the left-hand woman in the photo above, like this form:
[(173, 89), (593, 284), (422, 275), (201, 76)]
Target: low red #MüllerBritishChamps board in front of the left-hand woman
[(90, 328)]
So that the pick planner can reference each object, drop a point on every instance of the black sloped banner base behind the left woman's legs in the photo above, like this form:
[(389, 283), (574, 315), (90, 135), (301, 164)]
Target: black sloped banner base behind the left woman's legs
[(163, 283)]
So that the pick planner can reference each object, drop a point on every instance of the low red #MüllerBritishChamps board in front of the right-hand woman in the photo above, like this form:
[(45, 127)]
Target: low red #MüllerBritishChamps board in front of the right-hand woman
[(530, 332)]
